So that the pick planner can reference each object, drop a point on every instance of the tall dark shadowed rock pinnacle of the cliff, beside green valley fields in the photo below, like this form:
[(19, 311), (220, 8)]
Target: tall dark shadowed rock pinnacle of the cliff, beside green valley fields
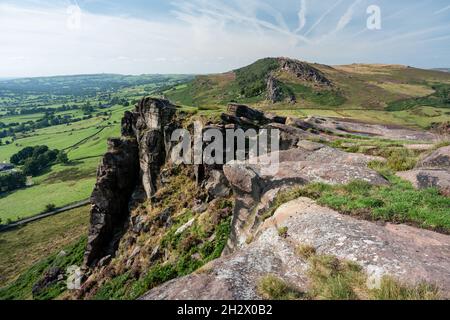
[(131, 164)]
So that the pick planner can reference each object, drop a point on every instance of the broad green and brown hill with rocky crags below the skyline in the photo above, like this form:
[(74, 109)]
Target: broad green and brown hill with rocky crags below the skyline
[(287, 83)]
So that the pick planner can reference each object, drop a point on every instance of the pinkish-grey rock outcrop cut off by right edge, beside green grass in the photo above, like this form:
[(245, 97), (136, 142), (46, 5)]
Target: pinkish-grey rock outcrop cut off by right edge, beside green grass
[(432, 171)]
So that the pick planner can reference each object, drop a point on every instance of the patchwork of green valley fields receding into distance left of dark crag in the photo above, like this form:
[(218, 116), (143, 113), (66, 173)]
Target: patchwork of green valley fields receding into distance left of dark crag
[(85, 142)]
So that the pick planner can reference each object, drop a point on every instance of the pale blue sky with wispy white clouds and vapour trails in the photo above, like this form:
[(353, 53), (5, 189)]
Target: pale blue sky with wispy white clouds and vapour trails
[(60, 37)]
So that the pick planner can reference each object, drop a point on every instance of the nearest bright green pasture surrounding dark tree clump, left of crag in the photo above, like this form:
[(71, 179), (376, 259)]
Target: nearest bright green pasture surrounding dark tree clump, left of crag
[(62, 184)]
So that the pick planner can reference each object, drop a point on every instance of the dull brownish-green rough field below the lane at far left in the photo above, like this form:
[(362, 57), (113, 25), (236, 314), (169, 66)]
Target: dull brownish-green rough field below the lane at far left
[(25, 246)]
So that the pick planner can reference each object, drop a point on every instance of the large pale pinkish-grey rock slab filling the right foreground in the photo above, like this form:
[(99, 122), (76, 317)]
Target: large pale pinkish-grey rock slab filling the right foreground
[(410, 255)]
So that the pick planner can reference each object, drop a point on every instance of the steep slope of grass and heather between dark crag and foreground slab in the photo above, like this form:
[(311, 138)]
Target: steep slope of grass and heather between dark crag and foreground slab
[(184, 252)]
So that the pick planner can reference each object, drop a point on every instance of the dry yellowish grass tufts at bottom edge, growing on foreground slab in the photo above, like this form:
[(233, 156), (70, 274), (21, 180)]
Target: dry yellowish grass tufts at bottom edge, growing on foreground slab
[(331, 278)]
